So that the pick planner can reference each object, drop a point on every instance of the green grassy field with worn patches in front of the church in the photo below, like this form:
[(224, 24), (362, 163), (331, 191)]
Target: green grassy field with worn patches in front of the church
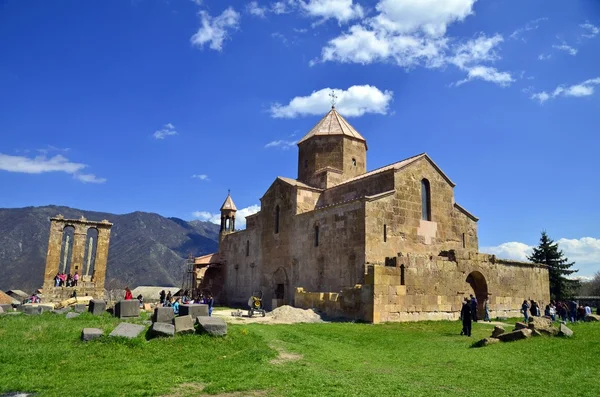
[(44, 354)]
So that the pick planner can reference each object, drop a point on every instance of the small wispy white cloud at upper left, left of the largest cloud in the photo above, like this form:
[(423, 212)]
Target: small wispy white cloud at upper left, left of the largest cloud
[(215, 30)]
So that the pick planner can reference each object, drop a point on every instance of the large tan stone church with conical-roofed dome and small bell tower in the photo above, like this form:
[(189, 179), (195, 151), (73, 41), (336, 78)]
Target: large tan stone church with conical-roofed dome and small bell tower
[(389, 244)]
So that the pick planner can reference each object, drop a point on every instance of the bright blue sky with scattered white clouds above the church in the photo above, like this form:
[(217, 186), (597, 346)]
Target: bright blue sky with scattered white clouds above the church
[(162, 106)]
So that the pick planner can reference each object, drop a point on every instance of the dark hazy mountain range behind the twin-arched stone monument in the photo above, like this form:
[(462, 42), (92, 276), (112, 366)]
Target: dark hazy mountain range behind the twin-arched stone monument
[(145, 248)]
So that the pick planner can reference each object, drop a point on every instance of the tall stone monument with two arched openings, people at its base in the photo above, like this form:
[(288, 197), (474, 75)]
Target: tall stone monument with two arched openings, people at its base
[(76, 246)]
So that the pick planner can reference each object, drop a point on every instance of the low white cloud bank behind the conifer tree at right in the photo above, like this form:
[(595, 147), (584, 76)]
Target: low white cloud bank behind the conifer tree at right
[(585, 252)]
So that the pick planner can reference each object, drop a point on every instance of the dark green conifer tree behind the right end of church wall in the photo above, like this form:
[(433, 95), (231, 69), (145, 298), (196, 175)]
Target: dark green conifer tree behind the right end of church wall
[(559, 267)]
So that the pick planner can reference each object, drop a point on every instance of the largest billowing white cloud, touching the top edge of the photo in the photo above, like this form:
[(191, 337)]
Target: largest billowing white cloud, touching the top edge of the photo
[(412, 33)]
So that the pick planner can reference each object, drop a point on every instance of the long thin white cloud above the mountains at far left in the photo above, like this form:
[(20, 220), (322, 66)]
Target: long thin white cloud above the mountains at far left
[(42, 164)]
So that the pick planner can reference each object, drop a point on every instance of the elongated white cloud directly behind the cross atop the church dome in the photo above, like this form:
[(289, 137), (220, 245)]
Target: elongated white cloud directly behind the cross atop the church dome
[(353, 102)]
